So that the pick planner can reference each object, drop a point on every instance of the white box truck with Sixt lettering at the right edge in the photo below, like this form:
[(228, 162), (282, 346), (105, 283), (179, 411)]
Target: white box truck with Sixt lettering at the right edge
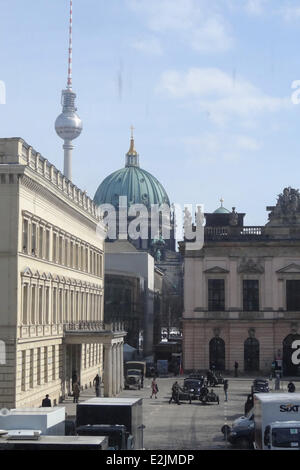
[(277, 421)]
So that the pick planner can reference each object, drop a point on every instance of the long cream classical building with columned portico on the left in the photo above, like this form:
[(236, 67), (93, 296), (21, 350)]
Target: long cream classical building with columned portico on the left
[(52, 285)]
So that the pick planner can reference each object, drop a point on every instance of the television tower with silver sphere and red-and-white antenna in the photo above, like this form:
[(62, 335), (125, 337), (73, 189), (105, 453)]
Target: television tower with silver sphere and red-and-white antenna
[(68, 125)]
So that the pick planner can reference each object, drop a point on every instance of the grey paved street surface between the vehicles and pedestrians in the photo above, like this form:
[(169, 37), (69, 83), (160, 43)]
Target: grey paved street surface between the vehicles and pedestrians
[(184, 427)]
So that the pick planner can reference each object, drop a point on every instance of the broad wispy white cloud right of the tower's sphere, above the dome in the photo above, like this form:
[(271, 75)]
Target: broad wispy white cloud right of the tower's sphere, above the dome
[(218, 94)]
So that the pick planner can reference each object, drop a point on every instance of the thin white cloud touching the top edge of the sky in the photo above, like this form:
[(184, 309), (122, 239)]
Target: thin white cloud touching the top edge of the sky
[(195, 22)]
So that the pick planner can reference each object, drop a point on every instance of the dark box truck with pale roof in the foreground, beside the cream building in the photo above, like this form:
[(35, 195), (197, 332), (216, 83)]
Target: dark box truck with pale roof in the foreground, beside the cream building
[(121, 419)]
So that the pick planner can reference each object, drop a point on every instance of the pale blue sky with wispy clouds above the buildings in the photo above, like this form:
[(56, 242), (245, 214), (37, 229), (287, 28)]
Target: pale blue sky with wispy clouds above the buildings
[(206, 84)]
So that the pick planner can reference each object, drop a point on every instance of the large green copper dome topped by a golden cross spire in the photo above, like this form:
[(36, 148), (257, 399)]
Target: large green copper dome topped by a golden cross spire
[(138, 185)]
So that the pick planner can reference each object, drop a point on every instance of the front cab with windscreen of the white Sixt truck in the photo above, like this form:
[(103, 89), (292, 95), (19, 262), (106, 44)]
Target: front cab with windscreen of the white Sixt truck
[(282, 435)]
